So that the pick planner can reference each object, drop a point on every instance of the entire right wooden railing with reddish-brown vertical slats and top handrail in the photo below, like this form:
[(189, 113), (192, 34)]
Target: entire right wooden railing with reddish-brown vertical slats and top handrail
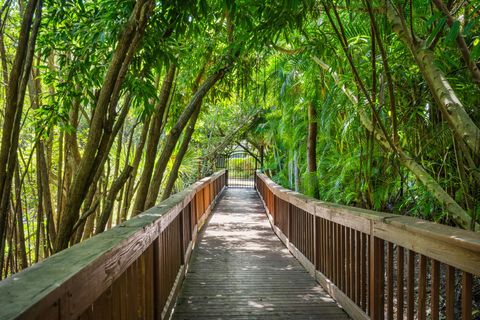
[(377, 265)]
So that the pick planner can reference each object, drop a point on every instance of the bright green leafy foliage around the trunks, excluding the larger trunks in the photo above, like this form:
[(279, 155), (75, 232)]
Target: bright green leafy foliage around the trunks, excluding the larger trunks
[(272, 78)]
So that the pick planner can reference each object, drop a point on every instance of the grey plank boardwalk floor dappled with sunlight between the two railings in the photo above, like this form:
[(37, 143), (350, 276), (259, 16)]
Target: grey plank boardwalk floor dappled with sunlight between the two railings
[(241, 270)]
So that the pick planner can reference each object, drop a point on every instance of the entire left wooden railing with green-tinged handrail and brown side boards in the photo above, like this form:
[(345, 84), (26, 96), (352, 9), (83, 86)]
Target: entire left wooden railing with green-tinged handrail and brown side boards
[(132, 271)]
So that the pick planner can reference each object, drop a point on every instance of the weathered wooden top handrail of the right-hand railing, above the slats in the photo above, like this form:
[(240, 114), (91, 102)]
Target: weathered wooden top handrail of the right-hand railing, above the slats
[(462, 246)]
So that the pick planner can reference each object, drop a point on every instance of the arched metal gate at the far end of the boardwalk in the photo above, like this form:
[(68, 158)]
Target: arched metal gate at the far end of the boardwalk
[(241, 168)]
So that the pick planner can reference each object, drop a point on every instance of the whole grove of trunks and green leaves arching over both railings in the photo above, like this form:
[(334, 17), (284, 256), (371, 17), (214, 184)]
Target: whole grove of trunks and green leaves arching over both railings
[(108, 107)]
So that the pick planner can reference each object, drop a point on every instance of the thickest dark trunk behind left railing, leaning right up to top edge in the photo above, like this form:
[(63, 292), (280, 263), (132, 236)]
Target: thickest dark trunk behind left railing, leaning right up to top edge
[(103, 118)]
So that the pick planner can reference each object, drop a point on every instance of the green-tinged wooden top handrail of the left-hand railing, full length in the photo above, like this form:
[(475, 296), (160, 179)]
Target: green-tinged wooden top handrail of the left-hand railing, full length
[(91, 265)]
